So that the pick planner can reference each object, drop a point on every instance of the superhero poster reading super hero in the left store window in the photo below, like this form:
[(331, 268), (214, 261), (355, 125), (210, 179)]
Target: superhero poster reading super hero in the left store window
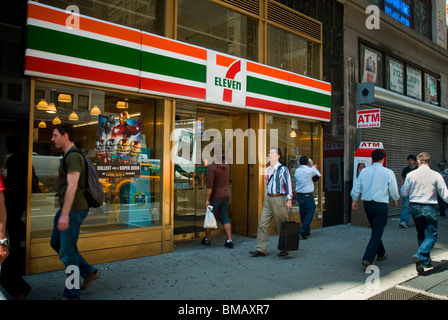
[(118, 146)]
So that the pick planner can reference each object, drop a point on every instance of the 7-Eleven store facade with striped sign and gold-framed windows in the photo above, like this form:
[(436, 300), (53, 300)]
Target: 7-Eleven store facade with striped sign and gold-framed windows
[(151, 87)]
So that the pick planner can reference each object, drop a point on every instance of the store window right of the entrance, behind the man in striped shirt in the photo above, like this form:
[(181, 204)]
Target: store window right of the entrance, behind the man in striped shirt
[(295, 139)]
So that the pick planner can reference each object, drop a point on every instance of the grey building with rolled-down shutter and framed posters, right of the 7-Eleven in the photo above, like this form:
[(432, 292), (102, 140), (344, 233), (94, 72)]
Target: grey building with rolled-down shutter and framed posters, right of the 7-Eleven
[(400, 47)]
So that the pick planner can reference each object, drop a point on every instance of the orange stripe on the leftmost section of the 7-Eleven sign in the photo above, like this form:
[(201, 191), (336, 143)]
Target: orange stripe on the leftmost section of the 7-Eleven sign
[(42, 13)]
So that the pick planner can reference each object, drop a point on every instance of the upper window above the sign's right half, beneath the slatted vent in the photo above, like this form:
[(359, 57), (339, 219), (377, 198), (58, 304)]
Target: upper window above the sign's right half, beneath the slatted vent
[(291, 52)]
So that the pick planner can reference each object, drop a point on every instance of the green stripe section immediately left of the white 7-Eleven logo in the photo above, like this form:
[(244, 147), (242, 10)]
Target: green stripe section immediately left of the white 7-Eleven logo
[(173, 67)]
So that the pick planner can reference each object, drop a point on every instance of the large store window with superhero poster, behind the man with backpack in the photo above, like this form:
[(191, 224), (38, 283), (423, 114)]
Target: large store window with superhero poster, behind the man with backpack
[(124, 142)]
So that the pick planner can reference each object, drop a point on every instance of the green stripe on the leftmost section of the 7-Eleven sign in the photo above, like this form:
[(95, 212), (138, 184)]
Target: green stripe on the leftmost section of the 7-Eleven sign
[(71, 45)]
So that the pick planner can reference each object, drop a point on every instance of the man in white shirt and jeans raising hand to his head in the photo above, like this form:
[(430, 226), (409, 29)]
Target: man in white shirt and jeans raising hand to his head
[(304, 193)]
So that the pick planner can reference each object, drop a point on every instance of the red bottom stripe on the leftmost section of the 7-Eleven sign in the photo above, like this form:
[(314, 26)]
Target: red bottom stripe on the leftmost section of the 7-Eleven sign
[(64, 69)]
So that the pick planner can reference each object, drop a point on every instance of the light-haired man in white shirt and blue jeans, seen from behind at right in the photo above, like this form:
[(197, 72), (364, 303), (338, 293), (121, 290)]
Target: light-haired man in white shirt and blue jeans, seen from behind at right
[(422, 187)]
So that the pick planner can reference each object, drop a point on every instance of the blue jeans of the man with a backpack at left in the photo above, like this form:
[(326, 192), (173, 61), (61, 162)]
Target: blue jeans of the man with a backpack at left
[(65, 244)]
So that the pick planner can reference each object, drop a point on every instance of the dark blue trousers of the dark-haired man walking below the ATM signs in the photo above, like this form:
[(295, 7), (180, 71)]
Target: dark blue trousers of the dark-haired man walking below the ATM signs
[(377, 216)]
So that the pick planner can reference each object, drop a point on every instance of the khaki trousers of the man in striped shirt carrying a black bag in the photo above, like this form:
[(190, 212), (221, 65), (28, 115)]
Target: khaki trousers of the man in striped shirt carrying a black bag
[(273, 208)]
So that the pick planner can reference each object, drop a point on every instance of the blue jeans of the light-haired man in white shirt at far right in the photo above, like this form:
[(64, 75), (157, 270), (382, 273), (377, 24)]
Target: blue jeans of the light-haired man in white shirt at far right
[(425, 218)]
